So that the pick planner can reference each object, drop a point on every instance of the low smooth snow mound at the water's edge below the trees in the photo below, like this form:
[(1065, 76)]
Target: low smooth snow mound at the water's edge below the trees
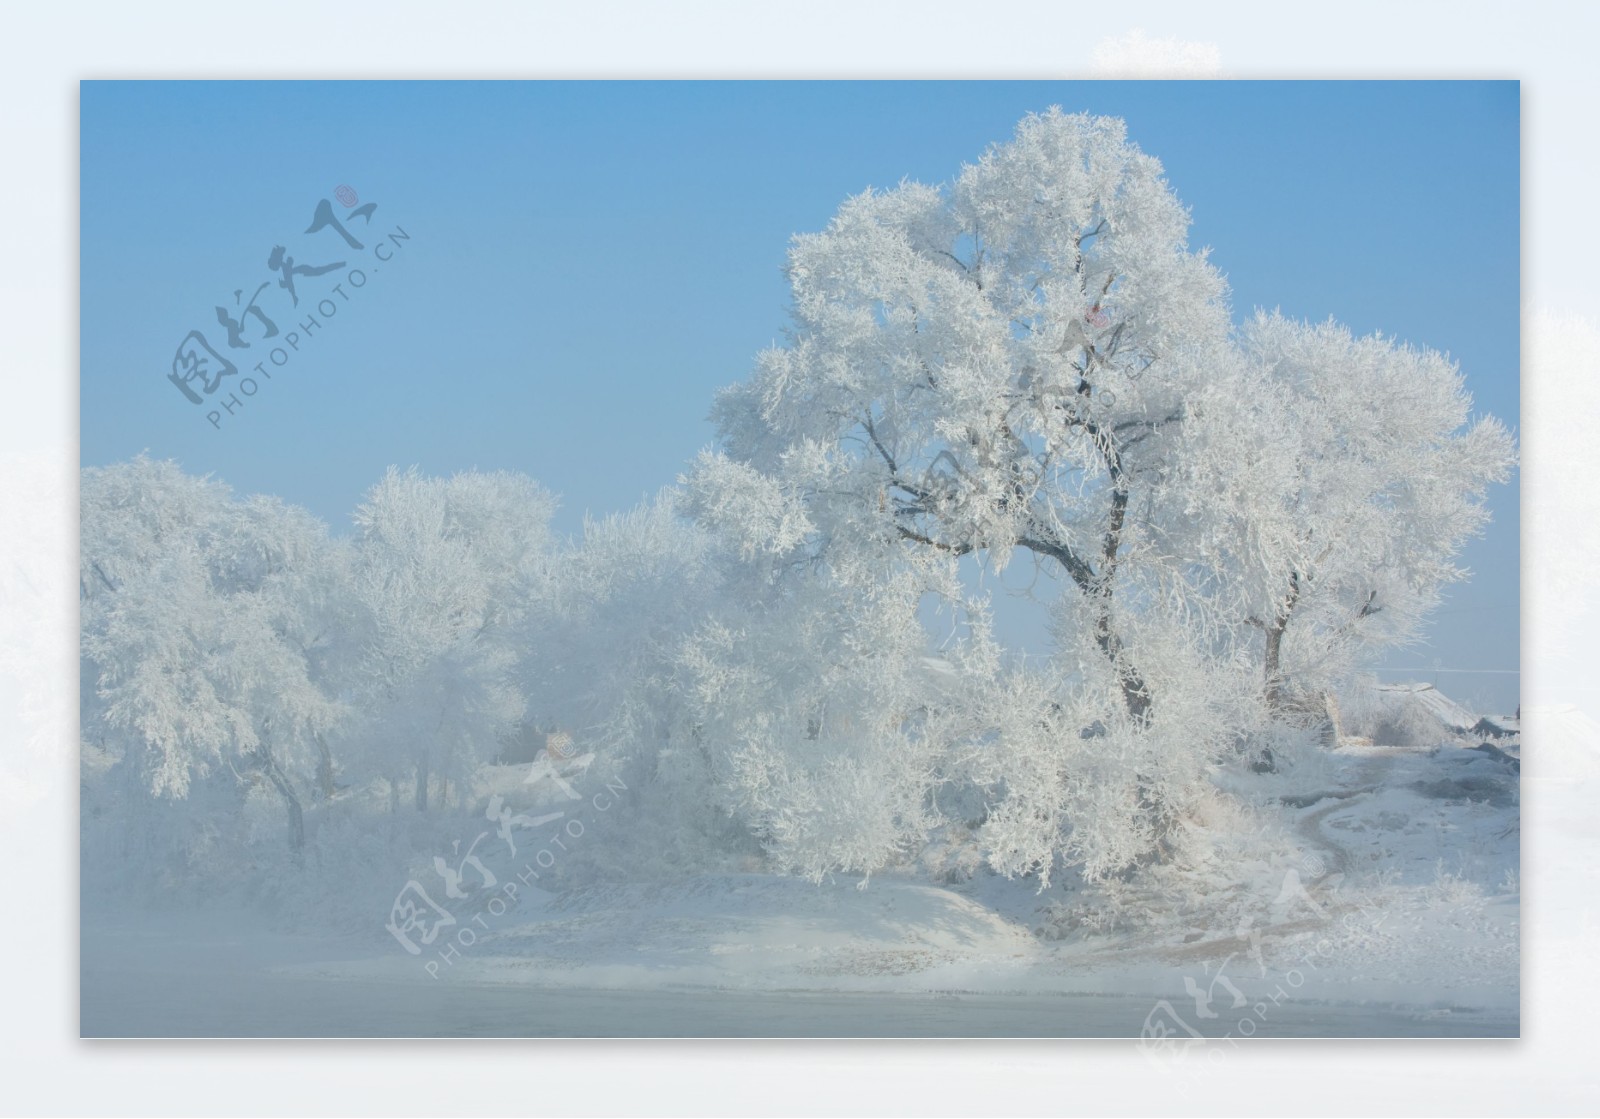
[(743, 931)]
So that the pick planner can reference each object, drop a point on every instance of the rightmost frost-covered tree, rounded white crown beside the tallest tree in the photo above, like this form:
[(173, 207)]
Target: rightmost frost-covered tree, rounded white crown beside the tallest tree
[(1374, 478)]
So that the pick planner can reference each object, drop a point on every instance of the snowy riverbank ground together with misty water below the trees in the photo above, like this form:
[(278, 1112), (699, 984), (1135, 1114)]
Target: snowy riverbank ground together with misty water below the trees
[(1391, 910)]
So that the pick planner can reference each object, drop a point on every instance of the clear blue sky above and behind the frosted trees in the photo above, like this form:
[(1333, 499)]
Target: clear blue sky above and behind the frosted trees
[(590, 262)]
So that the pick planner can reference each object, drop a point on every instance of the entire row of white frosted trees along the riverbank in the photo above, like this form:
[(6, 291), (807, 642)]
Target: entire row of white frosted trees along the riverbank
[(1228, 523)]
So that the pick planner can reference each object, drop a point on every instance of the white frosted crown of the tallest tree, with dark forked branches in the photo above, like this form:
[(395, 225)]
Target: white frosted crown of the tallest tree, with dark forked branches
[(988, 369)]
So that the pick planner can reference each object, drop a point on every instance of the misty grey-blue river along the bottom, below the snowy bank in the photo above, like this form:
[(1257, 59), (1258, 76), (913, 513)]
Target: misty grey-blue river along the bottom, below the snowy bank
[(138, 985)]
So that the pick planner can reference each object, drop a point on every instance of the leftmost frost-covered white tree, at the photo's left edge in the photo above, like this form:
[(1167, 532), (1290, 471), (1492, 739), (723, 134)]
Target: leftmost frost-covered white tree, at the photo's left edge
[(201, 624)]
